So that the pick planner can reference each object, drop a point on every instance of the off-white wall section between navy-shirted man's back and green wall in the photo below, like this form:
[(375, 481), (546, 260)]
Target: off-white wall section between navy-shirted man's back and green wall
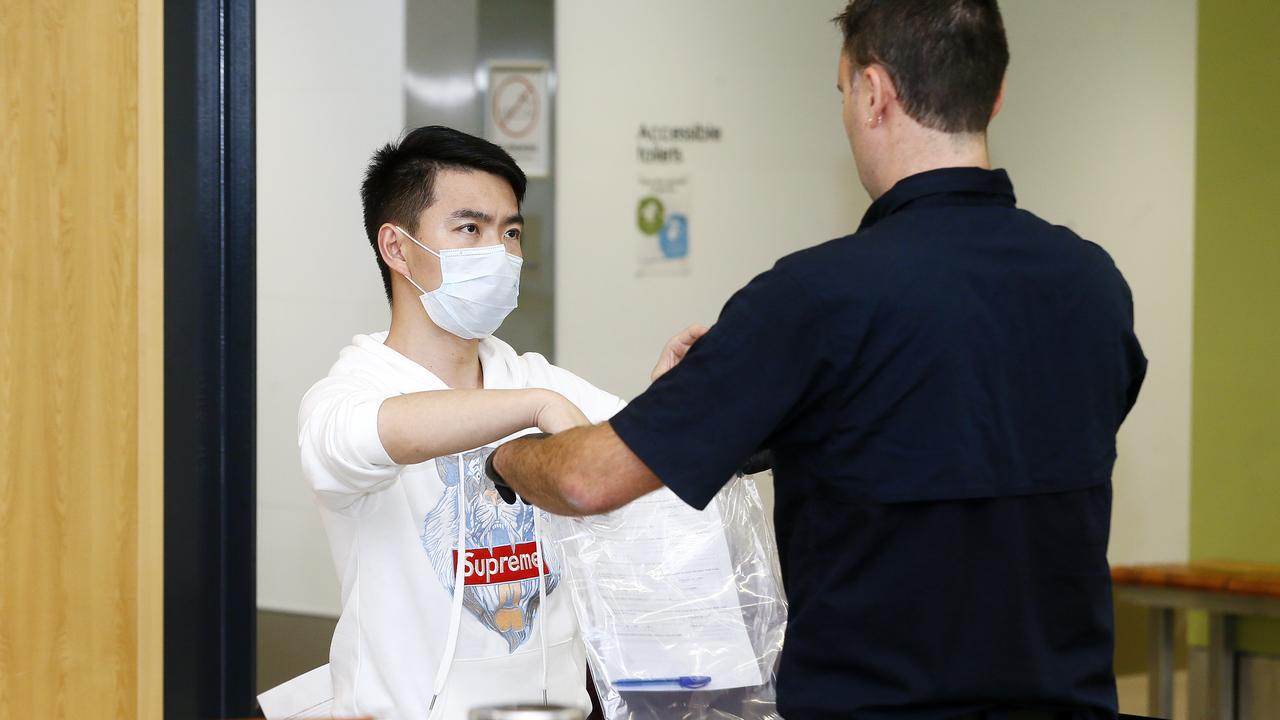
[(1099, 134)]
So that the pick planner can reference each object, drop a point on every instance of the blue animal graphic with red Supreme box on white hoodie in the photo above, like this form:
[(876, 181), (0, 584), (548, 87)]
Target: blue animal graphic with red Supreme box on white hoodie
[(501, 566)]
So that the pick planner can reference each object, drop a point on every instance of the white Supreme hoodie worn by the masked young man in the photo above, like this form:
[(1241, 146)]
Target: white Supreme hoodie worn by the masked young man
[(394, 531)]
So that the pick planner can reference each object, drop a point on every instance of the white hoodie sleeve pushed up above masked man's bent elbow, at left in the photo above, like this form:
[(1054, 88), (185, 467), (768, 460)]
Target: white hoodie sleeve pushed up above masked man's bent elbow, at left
[(342, 455)]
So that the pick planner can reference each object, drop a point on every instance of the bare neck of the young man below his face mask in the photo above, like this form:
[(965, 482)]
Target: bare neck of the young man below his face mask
[(449, 357)]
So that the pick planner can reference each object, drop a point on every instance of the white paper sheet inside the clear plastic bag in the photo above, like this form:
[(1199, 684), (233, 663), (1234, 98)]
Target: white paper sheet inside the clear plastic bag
[(664, 598)]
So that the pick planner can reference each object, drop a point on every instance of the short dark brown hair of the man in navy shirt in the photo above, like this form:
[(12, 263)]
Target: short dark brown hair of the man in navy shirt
[(948, 58)]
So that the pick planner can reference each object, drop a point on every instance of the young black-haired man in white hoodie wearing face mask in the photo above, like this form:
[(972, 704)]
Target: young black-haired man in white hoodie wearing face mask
[(395, 441)]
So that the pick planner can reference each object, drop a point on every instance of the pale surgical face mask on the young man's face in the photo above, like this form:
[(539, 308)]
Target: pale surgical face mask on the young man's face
[(479, 288)]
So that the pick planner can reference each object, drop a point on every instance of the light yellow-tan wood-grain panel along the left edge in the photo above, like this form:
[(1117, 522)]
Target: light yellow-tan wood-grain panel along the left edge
[(81, 543)]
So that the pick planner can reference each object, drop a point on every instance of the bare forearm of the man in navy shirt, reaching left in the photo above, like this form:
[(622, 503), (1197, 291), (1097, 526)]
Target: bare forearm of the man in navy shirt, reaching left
[(580, 472)]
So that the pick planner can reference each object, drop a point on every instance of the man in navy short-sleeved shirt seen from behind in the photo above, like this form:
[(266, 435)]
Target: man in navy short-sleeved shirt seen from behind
[(941, 394)]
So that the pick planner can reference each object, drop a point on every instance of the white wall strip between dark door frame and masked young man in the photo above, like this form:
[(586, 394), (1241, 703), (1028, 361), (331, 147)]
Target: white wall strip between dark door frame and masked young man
[(330, 93)]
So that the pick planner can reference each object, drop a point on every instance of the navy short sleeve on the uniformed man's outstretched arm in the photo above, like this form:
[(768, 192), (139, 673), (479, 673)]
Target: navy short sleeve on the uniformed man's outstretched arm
[(734, 390)]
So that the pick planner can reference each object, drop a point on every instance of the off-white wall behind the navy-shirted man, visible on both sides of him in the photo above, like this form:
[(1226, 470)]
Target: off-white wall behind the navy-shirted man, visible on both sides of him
[(1098, 134)]
